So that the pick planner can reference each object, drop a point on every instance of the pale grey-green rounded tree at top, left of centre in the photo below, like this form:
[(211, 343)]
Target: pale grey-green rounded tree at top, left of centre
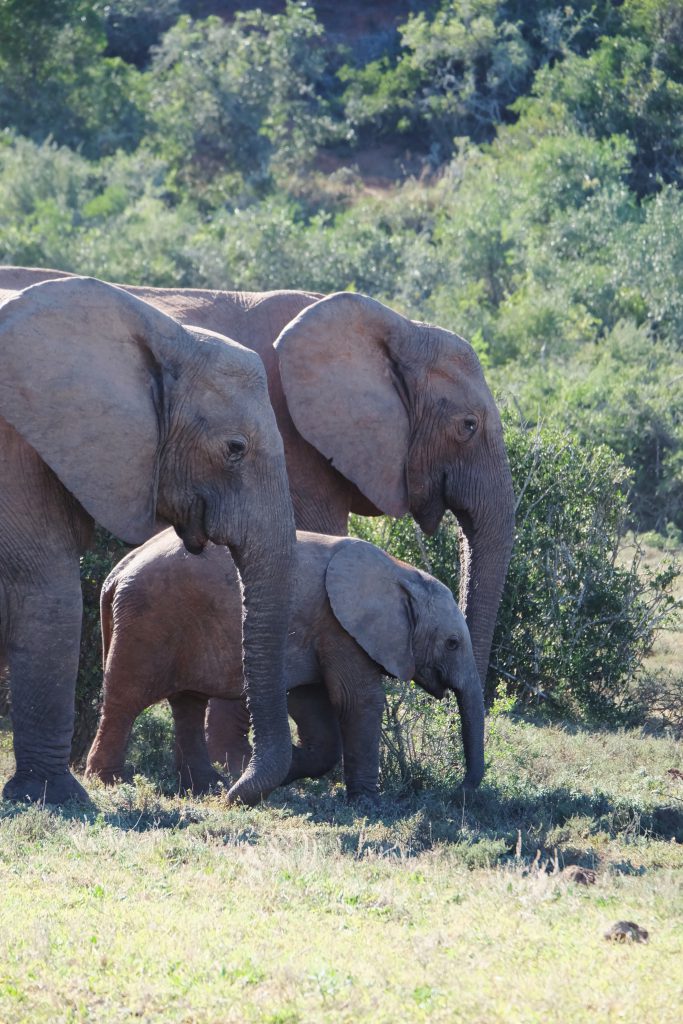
[(241, 99)]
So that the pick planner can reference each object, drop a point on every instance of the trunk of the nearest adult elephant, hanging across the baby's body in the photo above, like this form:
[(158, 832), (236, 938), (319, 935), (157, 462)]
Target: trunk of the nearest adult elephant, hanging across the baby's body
[(265, 562)]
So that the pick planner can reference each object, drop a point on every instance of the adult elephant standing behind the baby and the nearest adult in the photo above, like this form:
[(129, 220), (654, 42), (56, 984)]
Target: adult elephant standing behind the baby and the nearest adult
[(379, 415)]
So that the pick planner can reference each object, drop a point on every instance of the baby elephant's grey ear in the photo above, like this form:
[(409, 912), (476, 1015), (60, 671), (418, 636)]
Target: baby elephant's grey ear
[(369, 601)]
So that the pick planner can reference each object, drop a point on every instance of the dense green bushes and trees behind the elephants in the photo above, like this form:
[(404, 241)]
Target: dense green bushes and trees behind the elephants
[(149, 143)]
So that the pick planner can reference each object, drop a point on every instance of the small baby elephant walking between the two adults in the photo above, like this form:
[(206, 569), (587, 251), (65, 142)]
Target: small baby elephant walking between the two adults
[(173, 628)]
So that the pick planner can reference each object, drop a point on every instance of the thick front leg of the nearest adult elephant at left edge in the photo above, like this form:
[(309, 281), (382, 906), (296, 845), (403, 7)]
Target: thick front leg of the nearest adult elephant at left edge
[(42, 649)]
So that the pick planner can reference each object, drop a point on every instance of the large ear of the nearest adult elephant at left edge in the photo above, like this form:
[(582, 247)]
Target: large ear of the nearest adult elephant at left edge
[(82, 381)]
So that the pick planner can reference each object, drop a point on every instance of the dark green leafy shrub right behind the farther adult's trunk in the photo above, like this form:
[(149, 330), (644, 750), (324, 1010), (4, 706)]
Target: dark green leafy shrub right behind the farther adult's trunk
[(575, 624)]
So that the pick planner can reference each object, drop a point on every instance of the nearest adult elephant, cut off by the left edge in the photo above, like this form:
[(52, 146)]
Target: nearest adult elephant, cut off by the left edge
[(112, 411)]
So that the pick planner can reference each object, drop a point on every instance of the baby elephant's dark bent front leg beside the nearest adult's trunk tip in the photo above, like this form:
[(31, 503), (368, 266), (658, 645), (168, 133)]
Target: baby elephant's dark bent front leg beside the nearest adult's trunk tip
[(319, 749)]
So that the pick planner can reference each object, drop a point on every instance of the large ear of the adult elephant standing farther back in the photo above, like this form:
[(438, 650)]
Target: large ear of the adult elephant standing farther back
[(344, 389)]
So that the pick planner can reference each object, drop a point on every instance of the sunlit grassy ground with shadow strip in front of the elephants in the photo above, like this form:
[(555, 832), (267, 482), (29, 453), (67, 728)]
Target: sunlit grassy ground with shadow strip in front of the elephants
[(151, 908)]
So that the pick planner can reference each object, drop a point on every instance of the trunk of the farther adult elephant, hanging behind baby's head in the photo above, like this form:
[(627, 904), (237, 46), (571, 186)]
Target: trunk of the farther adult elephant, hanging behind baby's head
[(487, 533)]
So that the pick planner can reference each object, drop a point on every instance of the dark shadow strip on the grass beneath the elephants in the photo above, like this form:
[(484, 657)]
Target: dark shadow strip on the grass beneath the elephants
[(482, 829)]
